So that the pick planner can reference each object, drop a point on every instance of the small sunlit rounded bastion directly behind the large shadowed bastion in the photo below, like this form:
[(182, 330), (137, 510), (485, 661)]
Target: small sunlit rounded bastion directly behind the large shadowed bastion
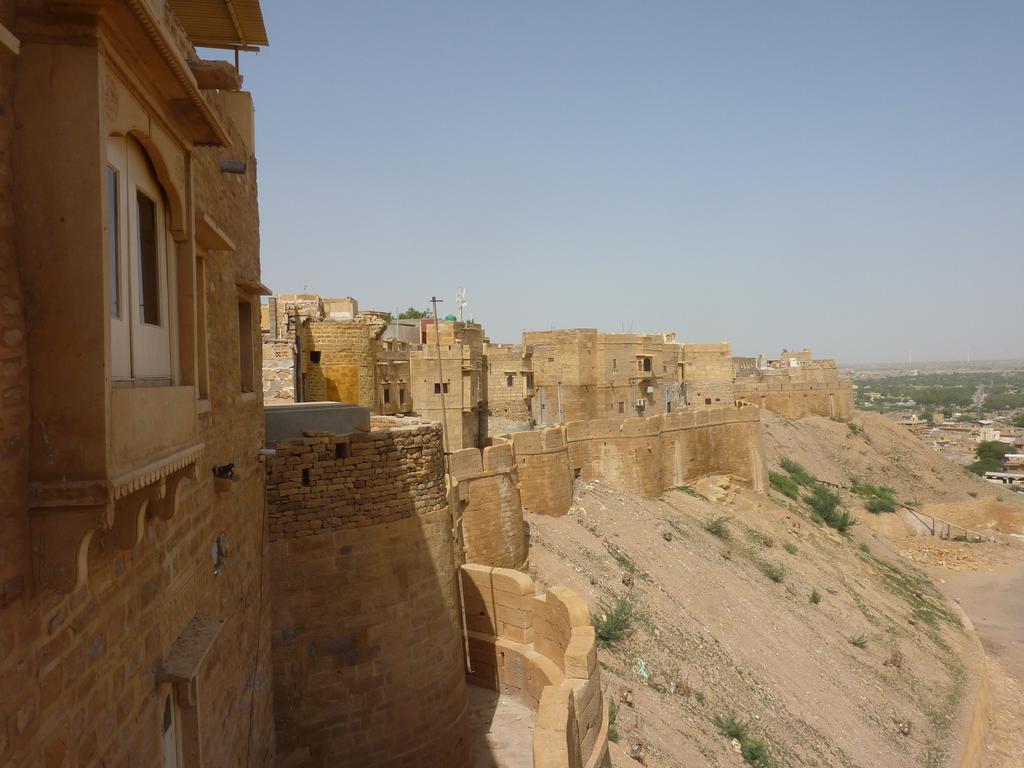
[(488, 490)]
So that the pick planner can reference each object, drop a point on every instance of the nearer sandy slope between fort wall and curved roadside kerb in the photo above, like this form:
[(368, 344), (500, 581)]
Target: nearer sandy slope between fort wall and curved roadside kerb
[(717, 636)]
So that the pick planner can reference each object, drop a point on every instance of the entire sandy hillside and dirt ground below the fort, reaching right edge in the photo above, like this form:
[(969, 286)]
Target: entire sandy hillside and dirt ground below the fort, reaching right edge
[(715, 635)]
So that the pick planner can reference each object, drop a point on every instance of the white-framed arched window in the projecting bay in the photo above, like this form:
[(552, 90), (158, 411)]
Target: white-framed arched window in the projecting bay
[(140, 245)]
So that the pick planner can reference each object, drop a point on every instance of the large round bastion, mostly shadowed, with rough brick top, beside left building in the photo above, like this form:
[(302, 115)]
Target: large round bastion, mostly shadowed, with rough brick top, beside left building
[(367, 647)]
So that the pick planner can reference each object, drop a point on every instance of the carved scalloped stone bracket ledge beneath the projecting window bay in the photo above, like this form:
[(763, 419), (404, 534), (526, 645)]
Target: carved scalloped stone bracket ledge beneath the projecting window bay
[(67, 515)]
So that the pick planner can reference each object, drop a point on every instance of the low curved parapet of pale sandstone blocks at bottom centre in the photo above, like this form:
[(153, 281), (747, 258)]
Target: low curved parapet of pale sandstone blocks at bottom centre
[(540, 649)]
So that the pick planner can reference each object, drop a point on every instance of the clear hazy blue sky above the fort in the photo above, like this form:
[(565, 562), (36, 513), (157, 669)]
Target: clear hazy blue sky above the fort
[(842, 176)]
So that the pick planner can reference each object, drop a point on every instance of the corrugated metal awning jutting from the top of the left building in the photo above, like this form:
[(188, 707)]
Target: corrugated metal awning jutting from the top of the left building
[(222, 24)]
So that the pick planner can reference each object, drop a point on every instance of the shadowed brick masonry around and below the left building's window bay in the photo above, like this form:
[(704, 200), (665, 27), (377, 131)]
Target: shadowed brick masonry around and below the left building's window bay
[(80, 674)]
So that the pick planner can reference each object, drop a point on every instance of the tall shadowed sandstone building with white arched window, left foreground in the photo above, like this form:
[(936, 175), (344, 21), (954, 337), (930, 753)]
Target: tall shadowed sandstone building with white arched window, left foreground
[(135, 618)]
